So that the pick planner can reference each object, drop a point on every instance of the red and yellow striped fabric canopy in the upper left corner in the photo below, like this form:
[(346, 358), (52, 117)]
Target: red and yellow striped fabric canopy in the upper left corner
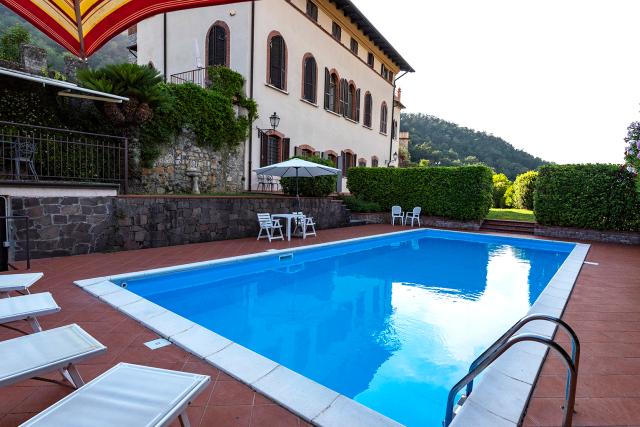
[(83, 26)]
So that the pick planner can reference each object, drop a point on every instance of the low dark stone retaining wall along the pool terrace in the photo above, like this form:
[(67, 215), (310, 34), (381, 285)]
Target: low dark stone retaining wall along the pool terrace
[(62, 226)]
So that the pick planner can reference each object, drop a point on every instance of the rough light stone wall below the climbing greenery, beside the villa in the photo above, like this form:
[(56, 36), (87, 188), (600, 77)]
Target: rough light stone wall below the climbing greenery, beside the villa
[(219, 171)]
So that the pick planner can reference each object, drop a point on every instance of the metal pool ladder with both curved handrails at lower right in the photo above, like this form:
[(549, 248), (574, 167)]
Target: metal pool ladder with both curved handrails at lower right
[(508, 340)]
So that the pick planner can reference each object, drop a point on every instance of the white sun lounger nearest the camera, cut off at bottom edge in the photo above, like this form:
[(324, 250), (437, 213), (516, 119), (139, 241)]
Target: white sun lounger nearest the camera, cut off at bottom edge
[(126, 395)]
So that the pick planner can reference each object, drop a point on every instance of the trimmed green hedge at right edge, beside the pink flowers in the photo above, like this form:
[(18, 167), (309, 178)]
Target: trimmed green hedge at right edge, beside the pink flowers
[(593, 196)]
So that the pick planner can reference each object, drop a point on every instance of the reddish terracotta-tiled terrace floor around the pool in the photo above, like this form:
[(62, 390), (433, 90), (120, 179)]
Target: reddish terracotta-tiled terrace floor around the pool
[(604, 309)]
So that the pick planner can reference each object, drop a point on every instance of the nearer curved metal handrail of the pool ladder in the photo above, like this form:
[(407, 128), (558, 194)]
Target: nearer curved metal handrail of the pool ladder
[(570, 399)]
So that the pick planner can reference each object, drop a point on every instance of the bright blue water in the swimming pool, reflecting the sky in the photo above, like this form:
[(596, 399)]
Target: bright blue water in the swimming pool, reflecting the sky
[(392, 322)]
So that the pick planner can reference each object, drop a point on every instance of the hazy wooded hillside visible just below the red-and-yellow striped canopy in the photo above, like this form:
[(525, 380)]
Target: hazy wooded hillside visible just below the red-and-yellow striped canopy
[(115, 51)]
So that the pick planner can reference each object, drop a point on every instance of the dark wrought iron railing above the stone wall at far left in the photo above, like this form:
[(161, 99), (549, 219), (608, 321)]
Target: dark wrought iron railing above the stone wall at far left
[(38, 153)]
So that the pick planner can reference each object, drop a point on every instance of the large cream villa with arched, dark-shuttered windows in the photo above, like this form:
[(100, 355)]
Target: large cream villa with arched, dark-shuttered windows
[(319, 65)]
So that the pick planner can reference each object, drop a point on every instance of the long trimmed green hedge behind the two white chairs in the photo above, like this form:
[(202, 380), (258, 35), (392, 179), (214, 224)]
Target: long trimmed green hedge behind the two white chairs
[(463, 193)]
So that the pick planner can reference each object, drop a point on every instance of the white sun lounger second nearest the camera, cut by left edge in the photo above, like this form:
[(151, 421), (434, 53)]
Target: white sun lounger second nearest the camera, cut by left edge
[(45, 352)]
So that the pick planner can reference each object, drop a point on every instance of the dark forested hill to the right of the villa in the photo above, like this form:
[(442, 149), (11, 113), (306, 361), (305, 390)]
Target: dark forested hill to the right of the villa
[(449, 144)]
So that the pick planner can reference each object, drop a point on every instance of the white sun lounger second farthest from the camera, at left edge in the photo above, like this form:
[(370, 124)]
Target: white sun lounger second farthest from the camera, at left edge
[(27, 307)]
